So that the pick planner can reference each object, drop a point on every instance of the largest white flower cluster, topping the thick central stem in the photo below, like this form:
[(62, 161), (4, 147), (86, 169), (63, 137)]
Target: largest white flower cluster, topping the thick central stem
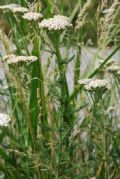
[(58, 22)]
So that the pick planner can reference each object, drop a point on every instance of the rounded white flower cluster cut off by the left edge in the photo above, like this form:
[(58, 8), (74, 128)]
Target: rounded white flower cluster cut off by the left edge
[(4, 120)]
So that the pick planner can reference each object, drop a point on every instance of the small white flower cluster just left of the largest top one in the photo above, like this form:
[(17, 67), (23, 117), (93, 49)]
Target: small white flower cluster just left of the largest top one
[(32, 16)]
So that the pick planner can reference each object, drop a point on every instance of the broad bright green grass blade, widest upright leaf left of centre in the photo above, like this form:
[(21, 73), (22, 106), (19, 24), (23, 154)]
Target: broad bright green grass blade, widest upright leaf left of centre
[(37, 89)]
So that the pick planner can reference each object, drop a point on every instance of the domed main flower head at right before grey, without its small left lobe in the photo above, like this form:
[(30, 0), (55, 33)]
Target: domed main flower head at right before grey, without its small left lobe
[(98, 85)]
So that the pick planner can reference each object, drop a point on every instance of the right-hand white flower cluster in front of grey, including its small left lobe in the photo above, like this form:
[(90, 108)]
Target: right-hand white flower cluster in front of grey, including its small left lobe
[(95, 84)]
